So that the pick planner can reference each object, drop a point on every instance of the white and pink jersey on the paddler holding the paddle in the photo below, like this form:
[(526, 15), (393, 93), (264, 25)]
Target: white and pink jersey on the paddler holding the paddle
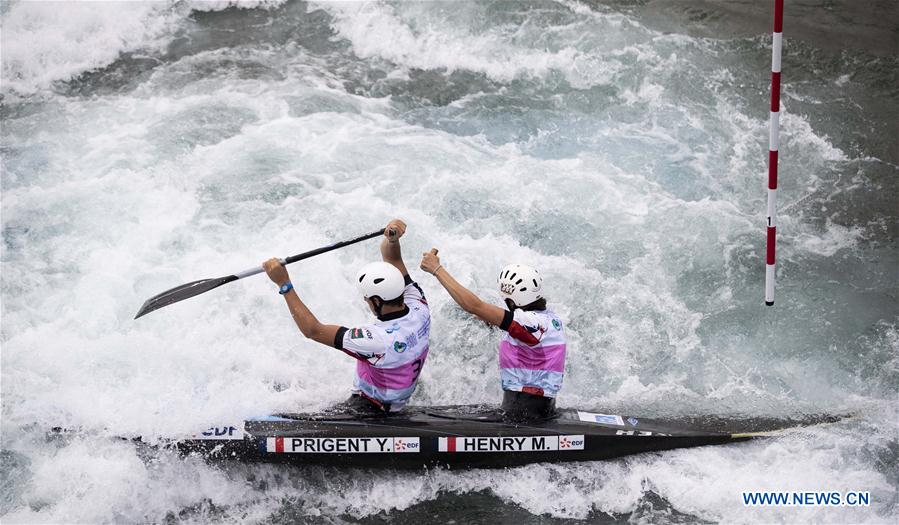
[(390, 352)]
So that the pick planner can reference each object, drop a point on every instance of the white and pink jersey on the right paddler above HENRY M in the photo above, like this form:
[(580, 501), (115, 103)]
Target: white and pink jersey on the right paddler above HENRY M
[(532, 352)]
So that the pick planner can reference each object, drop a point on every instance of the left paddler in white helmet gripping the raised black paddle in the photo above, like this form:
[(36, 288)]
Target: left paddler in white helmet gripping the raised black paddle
[(390, 352)]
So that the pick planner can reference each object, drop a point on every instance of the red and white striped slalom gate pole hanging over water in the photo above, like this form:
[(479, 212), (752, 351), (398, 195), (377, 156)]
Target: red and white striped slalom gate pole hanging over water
[(773, 142)]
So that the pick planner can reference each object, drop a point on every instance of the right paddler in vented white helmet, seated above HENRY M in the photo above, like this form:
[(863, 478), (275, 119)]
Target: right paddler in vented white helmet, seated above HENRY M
[(532, 350)]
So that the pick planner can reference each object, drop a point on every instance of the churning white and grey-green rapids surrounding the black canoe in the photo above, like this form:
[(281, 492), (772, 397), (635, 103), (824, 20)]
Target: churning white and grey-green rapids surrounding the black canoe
[(147, 145)]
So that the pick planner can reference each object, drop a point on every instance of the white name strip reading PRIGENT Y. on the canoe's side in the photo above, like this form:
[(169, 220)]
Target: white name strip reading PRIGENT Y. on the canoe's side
[(360, 445)]
